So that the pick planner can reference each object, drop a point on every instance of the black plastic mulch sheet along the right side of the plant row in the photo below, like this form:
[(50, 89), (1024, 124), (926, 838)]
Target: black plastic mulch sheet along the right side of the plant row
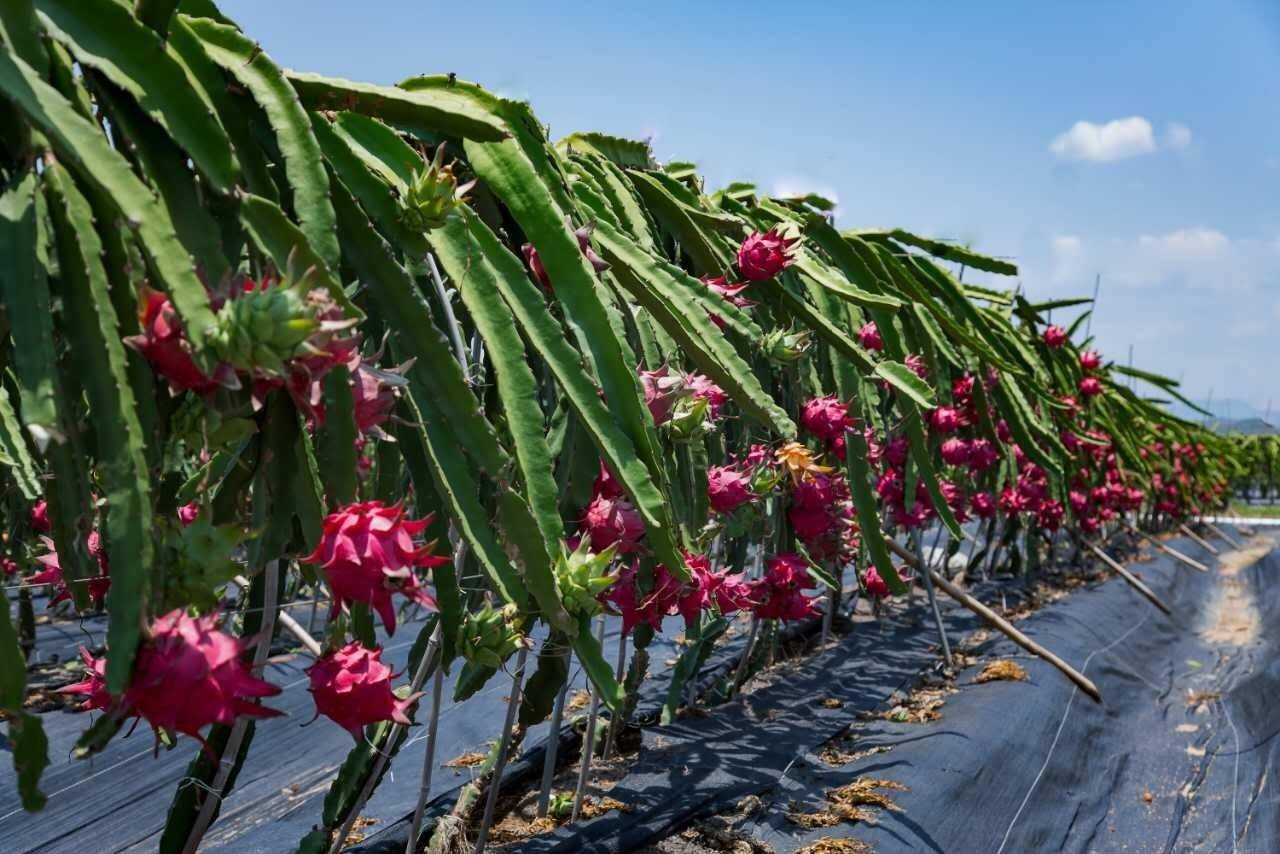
[(1182, 756)]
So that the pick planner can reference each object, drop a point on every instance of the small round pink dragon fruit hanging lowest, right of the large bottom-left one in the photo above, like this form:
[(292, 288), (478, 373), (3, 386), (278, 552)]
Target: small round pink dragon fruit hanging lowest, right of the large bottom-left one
[(353, 688)]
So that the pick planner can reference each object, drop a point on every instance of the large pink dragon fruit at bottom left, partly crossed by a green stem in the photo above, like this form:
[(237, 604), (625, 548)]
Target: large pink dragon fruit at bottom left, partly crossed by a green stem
[(188, 677)]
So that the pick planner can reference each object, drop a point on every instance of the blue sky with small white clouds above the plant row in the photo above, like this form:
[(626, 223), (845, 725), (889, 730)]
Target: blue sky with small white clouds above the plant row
[(962, 121)]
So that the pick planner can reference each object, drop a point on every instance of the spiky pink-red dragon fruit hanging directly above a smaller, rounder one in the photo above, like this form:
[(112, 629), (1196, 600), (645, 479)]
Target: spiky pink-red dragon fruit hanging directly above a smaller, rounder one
[(367, 554)]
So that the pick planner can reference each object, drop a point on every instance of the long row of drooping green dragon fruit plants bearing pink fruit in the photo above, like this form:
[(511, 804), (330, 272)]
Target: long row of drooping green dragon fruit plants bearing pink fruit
[(290, 332)]
